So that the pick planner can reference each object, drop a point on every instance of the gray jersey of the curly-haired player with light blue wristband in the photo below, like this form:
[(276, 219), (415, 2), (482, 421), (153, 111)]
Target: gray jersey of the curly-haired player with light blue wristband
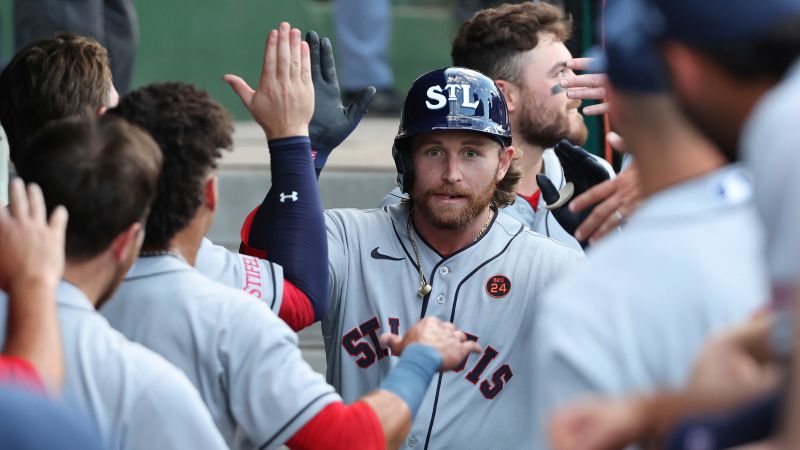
[(243, 359)]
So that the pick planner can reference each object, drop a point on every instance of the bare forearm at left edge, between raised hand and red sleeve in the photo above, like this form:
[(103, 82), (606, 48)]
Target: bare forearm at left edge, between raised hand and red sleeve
[(33, 331)]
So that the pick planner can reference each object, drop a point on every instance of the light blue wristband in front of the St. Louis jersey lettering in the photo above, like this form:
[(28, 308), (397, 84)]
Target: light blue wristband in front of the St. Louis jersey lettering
[(412, 375)]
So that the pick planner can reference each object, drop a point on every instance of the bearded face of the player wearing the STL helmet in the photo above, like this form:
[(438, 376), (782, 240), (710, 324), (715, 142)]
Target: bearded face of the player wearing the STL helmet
[(455, 174)]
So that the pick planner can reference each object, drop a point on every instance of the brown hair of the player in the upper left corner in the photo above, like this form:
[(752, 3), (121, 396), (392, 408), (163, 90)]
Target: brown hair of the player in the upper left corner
[(51, 79)]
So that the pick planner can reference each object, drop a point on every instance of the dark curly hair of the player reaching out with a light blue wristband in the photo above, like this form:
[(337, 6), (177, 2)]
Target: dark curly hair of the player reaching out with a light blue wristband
[(191, 129)]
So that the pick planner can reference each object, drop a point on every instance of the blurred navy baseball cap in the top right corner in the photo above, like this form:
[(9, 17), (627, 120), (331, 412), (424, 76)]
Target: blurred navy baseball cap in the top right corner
[(710, 22)]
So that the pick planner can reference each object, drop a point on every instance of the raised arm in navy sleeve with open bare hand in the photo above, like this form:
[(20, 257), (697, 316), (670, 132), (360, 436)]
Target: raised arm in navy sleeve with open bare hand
[(293, 233)]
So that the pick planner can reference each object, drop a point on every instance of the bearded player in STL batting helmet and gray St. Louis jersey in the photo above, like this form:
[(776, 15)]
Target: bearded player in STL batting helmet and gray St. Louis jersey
[(444, 253)]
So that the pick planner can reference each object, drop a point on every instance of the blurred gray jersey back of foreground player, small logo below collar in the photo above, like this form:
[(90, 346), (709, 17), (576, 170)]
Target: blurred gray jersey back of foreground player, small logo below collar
[(692, 259)]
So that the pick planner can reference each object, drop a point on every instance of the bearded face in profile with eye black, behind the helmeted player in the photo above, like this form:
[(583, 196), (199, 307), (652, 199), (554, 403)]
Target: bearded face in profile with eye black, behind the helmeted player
[(544, 117)]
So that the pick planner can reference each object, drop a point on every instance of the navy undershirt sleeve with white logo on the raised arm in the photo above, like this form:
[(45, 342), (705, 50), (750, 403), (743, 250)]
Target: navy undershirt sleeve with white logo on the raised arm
[(290, 225)]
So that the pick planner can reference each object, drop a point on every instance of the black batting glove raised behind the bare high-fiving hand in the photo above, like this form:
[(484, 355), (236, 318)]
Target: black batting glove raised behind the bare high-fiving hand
[(332, 122)]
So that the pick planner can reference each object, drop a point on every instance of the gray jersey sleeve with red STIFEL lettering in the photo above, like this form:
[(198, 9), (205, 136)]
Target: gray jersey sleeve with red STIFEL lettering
[(258, 277)]
